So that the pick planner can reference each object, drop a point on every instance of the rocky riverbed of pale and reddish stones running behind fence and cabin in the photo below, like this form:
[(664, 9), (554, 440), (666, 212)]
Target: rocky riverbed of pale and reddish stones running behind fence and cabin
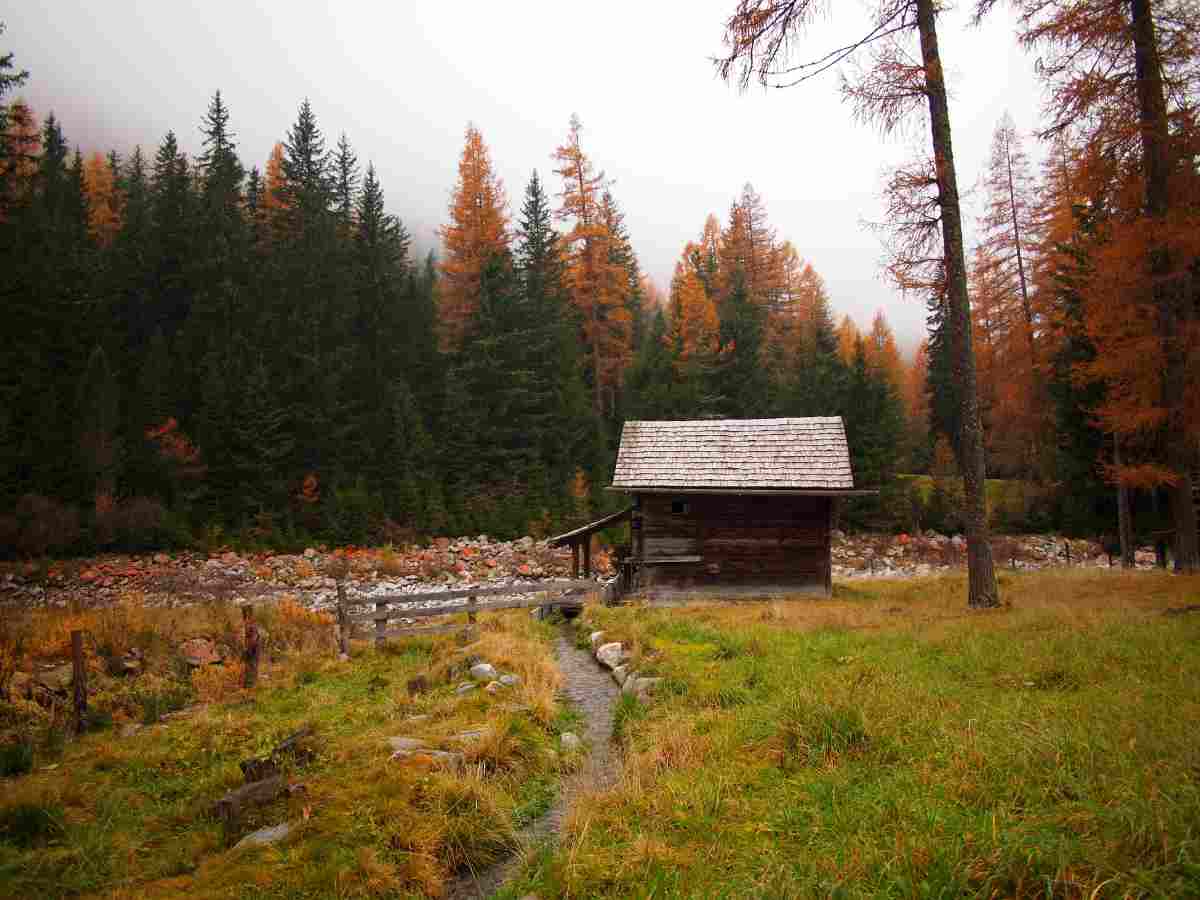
[(311, 577)]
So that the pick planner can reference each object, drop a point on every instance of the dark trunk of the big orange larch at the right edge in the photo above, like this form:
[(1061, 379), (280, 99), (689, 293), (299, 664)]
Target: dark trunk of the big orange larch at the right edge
[(1169, 293)]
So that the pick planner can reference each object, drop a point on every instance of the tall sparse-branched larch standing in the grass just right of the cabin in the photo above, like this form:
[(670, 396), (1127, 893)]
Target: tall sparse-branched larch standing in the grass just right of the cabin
[(903, 76)]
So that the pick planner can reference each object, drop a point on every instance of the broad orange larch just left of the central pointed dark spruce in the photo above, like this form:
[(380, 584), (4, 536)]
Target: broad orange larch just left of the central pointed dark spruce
[(478, 232)]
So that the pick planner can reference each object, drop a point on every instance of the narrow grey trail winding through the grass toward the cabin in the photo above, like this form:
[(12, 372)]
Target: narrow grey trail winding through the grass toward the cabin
[(592, 692)]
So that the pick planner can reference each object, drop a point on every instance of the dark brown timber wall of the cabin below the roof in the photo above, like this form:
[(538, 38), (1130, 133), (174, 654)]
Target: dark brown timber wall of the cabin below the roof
[(734, 543)]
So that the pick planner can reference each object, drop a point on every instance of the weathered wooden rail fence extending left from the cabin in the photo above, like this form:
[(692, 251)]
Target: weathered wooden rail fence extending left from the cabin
[(517, 597)]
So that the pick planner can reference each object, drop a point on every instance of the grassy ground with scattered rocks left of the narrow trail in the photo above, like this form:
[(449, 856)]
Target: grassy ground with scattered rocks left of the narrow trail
[(128, 818)]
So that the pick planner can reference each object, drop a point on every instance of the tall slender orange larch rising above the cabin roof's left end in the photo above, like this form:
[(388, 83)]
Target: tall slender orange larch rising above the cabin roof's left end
[(597, 283)]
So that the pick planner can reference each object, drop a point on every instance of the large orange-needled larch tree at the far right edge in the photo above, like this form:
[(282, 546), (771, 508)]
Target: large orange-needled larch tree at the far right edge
[(1123, 81)]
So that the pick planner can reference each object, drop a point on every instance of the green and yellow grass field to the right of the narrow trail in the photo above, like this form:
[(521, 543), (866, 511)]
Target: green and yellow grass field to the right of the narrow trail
[(891, 745)]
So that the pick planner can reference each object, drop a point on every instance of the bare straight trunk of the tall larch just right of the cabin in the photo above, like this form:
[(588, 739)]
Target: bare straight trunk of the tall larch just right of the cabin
[(982, 591)]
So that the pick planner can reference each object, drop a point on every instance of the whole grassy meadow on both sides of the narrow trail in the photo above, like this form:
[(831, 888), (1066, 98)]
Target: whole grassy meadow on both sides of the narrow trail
[(884, 743)]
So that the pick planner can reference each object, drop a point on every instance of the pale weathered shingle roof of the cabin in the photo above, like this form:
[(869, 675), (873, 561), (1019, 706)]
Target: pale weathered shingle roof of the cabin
[(735, 454)]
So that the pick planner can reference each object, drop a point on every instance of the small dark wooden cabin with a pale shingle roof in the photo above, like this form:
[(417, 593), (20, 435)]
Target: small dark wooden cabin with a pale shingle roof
[(734, 507)]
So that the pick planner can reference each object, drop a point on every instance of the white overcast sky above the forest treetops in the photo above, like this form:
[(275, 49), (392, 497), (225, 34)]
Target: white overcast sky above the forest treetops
[(403, 80)]
